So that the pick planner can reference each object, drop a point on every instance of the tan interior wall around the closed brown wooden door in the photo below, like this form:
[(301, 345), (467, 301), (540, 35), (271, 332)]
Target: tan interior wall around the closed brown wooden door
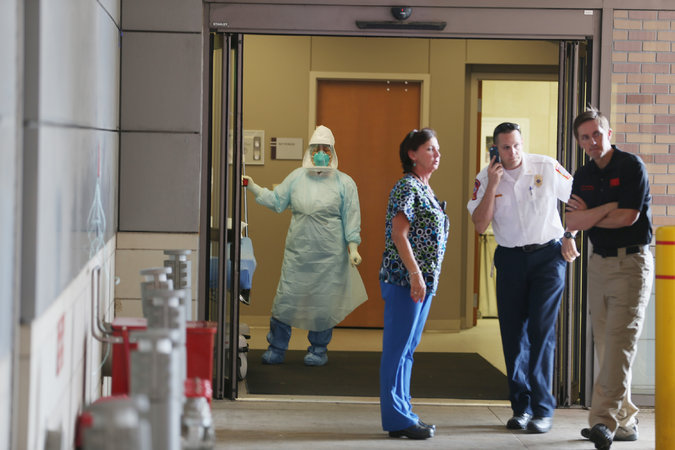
[(276, 99)]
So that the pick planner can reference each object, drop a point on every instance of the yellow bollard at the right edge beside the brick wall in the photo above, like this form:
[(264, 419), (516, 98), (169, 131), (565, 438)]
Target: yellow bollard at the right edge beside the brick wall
[(665, 338)]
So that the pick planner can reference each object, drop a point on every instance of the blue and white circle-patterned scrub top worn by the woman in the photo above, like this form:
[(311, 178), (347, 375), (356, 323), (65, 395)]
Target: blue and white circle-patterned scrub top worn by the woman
[(428, 233)]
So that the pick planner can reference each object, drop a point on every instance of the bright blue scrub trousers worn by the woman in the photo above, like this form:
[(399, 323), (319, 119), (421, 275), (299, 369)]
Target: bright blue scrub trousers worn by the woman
[(404, 322)]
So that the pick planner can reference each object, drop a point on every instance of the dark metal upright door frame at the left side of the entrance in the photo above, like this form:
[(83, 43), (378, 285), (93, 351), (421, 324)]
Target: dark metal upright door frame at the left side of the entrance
[(226, 314)]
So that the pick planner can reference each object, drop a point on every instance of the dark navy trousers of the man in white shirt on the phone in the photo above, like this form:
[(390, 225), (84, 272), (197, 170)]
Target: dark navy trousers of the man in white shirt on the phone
[(529, 288)]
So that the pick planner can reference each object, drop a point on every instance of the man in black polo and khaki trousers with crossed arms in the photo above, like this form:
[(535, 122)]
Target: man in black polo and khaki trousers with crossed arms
[(610, 199)]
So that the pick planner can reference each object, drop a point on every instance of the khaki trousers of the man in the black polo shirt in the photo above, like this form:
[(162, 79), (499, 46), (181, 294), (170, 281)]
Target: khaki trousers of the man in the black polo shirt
[(619, 289)]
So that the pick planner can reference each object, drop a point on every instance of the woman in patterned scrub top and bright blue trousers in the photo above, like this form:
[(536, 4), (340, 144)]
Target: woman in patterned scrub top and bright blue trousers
[(415, 237)]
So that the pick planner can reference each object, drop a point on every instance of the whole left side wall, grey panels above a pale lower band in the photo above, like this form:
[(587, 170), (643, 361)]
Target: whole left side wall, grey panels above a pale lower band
[(68, 196)]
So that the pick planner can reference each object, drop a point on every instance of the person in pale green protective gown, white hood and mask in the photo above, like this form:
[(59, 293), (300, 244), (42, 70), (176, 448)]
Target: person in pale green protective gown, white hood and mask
[(319, 284)]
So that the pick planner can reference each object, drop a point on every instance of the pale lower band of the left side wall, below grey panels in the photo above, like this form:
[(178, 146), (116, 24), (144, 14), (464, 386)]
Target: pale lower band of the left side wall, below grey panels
[(60, 362)]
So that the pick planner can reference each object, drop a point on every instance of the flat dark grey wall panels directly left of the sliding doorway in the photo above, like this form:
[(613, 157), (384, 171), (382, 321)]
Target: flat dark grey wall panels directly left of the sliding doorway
[(161, 105)]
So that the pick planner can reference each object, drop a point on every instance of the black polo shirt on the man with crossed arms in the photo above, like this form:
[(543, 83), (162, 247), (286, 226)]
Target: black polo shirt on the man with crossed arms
[(623, 180)]
